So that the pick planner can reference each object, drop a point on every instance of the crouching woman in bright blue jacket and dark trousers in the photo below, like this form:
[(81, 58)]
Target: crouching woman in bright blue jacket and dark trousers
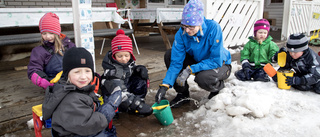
[(198, 47)]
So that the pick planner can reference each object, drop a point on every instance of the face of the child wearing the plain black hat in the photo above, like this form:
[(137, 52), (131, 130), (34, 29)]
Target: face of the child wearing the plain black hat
[(80, 76)]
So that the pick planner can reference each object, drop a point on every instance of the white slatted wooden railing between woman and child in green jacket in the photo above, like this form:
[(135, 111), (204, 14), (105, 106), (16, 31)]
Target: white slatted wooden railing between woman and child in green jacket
[(236, 18)]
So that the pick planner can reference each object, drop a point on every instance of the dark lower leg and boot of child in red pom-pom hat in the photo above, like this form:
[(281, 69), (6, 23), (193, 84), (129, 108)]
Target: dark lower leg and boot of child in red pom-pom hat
[(136, 105)]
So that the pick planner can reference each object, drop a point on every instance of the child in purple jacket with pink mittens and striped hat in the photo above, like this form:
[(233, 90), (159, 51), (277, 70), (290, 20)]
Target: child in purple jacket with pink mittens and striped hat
[(46, 60)]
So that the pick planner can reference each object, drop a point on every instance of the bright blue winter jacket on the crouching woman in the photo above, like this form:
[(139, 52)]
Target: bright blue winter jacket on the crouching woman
[(206, 49)]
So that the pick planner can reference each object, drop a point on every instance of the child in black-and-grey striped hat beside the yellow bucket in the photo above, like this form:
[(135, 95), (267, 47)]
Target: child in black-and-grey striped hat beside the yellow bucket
[(305, 63)]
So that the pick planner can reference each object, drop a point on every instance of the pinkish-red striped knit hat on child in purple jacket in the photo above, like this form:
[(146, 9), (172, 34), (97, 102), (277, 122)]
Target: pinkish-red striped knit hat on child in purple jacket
[(50, 23)]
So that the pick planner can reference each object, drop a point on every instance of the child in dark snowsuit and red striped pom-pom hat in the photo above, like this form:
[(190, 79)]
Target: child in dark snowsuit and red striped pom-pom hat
[(119, 64)]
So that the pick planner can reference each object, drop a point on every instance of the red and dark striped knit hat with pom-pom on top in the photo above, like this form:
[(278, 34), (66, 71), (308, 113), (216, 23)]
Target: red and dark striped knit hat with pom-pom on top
[(121, 43)]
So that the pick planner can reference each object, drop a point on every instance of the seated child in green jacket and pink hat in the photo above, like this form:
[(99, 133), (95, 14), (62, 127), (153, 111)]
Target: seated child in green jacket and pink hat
[(257, 52)]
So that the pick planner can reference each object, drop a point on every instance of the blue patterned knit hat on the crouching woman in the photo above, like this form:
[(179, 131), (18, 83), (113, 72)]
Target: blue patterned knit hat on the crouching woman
[(193, 13)]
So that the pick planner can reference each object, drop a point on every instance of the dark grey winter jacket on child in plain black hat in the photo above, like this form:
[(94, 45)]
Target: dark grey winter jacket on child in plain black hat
[(73, 110)]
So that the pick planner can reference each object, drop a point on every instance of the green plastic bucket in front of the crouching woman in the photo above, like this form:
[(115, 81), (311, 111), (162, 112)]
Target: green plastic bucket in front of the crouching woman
[(164, 115)]
